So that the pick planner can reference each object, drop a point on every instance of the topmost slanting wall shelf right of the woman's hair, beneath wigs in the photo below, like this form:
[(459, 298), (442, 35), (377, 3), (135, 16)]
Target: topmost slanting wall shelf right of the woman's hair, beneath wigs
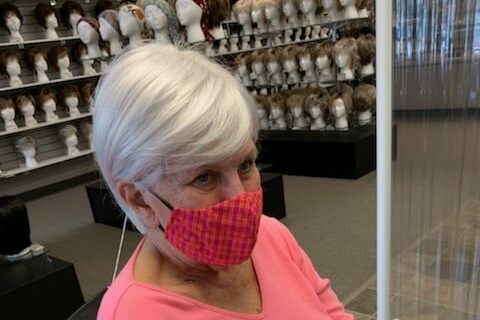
[(336, 25)]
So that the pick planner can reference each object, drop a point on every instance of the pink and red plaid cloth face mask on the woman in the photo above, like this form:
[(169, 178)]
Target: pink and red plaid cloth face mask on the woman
[(223, 234)]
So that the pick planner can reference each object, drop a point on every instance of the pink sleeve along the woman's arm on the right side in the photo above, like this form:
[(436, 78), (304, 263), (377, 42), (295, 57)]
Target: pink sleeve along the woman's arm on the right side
[(325, 294)]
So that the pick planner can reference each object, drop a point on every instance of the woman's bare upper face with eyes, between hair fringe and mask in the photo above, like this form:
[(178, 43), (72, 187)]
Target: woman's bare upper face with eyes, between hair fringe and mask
[(211, 184)]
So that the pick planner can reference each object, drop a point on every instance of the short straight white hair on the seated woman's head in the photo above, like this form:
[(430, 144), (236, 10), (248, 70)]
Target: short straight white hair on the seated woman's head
[(161, 109)]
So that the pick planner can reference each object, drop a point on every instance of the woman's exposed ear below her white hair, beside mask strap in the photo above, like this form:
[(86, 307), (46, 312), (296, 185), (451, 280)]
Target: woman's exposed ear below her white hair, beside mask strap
[(135, 197)]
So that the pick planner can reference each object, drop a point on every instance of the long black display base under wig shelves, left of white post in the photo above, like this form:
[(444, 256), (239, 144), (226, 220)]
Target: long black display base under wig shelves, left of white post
[(333, 154)]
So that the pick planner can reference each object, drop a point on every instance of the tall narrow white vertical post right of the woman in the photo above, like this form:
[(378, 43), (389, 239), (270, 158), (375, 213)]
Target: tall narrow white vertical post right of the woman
[(384, 36)]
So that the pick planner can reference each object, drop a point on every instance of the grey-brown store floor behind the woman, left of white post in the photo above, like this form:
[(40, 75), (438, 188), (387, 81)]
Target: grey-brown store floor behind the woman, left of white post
[(333, 220)]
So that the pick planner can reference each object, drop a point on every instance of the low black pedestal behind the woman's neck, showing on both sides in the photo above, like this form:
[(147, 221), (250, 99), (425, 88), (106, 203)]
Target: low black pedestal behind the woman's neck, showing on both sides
[(106, 211)]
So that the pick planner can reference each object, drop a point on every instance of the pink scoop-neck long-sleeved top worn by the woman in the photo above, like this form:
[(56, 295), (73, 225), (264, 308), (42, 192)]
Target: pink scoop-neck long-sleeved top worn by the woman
[(289, 285)]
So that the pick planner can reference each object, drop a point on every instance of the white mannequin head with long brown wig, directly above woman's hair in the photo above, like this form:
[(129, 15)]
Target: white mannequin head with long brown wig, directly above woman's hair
[(160, 14)]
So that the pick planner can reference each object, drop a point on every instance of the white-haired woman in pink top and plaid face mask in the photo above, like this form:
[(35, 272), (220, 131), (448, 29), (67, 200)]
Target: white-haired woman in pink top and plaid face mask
[(174, 136)]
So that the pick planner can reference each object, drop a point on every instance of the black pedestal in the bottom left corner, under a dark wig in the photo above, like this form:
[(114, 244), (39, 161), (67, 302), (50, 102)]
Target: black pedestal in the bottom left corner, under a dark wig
[(39, 288)]
